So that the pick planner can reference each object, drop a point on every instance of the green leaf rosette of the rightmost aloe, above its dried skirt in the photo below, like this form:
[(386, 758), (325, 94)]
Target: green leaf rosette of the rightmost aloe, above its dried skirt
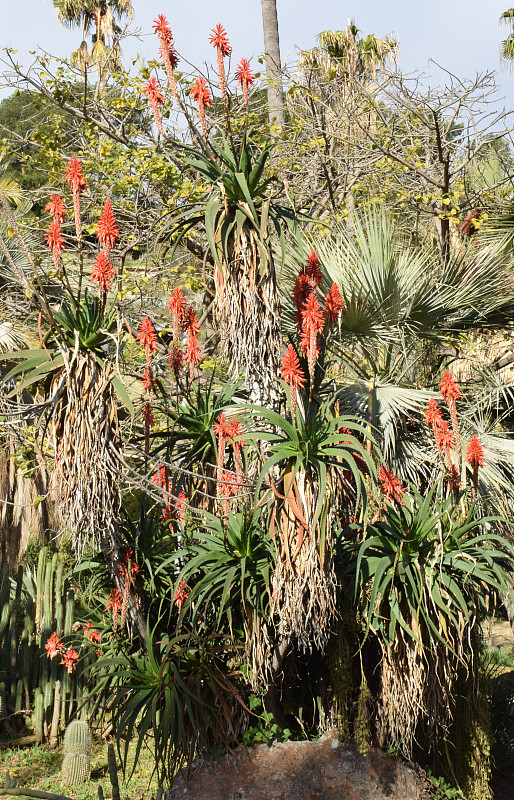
[(427, 562)]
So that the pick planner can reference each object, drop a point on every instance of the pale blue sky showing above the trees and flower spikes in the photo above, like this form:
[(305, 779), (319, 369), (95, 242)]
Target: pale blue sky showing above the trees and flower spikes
[(462, 35)]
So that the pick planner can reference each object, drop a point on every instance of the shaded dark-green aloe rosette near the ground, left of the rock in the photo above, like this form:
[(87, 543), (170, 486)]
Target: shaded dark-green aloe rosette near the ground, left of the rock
[(179, 691)]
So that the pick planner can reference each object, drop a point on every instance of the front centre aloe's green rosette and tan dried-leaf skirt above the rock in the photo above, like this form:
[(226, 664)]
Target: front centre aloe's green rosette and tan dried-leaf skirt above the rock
[(314, 459)]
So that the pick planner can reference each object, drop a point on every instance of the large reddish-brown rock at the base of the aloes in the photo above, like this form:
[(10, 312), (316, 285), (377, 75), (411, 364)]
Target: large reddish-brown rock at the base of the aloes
[(326, 769)]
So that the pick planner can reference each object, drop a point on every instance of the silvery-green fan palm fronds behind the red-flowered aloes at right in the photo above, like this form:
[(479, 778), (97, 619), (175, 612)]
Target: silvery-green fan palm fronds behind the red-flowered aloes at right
[(402, 312)]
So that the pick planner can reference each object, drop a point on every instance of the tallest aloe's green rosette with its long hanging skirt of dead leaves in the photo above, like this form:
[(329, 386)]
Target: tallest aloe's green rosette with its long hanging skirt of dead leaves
[(239, 217)]
